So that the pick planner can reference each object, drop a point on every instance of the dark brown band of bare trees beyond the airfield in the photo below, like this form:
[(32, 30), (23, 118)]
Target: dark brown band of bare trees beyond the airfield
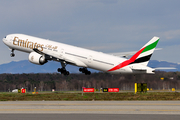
[(75, 82)]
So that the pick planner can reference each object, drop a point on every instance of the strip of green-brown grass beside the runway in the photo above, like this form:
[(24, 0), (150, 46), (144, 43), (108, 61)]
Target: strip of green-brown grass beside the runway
[(60, 96)]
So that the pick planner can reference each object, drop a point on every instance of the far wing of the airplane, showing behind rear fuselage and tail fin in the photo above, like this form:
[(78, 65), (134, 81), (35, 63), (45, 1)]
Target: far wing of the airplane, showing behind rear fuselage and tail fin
[(126, 54)]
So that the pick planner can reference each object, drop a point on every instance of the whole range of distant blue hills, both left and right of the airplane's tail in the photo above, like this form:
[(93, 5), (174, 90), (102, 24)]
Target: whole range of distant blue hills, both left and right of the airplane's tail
[(25, 66)]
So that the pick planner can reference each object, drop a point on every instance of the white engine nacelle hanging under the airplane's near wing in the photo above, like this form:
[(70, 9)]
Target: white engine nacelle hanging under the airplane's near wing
[(37, 58)]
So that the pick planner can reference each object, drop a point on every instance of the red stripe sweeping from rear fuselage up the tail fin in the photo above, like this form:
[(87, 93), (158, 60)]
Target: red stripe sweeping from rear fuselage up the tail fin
[(127, 62)]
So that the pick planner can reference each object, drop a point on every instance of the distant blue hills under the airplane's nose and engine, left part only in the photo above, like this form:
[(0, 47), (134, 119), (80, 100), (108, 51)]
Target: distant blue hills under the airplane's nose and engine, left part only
[(25, 66)]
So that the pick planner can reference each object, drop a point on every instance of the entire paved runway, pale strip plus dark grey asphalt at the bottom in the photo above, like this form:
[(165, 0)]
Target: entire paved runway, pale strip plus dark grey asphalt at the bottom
[(93, 109)]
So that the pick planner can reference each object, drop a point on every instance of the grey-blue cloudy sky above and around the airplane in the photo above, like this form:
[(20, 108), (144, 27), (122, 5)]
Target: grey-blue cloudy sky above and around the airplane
[(104, 25)]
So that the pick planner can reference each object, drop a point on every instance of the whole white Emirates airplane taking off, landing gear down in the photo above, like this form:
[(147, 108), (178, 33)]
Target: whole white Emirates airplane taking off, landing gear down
[(41, 51)]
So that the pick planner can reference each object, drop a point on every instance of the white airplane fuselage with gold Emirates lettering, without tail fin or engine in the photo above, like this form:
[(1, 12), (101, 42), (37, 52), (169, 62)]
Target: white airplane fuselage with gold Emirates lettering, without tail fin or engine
[(75, 55)]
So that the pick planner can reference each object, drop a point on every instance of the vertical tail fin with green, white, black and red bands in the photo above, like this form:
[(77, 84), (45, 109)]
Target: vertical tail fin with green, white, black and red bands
[(144, 54)]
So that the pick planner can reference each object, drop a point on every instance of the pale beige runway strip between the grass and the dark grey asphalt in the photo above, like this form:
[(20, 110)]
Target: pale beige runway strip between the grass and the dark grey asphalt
[(92, 107)]
